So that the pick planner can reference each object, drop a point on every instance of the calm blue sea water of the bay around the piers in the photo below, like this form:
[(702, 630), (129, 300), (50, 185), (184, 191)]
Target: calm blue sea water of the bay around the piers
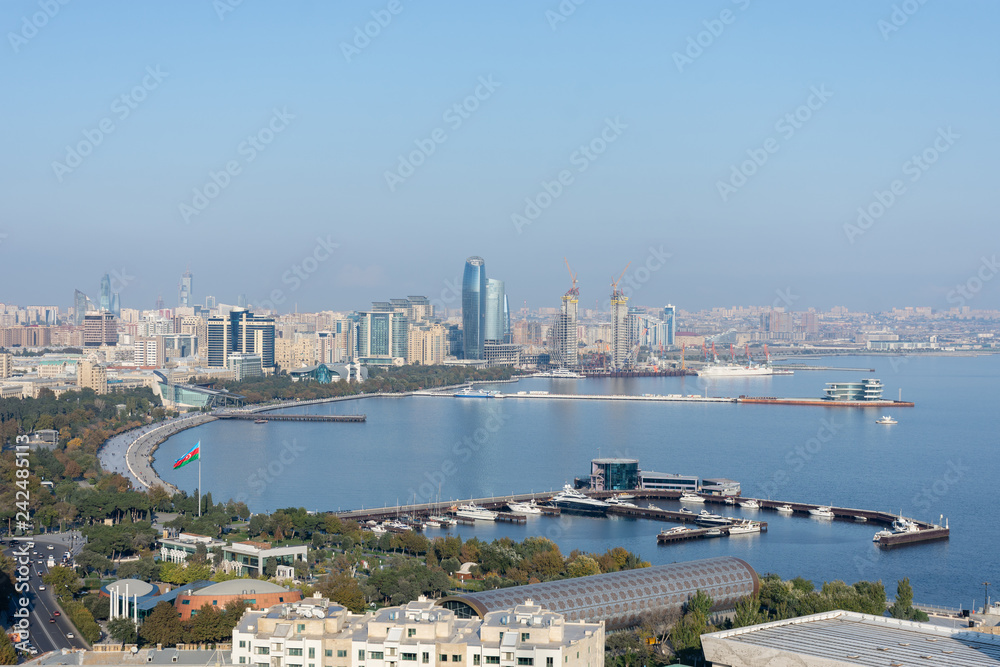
[(941, 459)]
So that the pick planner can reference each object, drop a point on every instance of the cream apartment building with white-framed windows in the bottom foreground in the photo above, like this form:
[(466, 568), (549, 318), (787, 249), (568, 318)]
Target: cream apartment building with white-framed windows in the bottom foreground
[(317, 633)]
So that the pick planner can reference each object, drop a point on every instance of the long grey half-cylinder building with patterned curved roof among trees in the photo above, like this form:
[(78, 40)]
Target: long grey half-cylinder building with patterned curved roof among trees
[(620, 598)]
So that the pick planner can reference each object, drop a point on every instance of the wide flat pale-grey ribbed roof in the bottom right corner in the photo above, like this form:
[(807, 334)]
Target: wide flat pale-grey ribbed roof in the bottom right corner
[(848, 638)]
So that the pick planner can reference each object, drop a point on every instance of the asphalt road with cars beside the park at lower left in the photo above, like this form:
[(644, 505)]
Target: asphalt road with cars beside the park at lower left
[(47, 631)]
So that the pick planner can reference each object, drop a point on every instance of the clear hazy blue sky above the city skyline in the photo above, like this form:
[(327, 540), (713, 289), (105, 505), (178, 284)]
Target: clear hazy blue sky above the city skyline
[(676, 117)]
